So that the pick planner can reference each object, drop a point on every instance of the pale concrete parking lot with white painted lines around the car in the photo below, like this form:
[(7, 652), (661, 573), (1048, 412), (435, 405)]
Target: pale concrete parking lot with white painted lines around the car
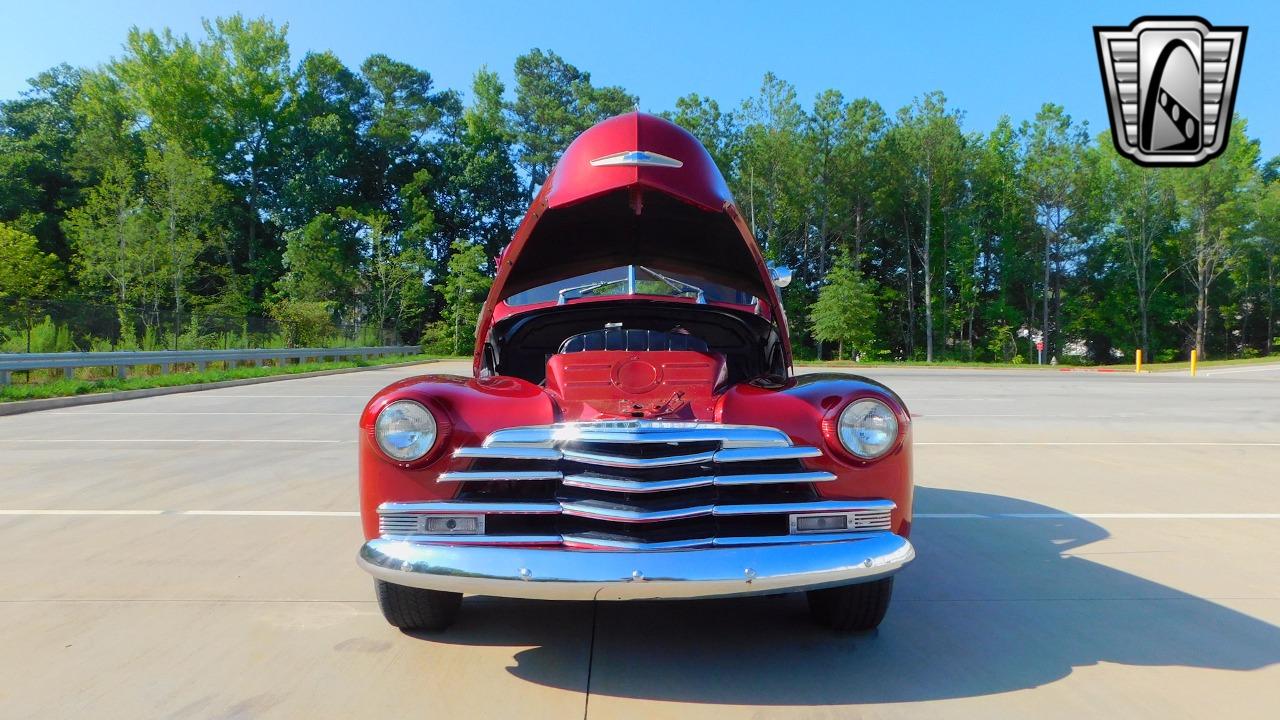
[(1090, 546)]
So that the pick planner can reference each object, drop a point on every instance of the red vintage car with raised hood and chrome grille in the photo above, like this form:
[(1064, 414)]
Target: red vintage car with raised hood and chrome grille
[(633, 427)]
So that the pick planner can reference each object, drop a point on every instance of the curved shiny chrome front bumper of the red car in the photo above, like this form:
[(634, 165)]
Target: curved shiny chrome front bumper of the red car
[(587, 575)]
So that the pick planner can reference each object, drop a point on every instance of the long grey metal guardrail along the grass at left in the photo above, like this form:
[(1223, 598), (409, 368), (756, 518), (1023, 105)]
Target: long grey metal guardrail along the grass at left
[(167, 359)]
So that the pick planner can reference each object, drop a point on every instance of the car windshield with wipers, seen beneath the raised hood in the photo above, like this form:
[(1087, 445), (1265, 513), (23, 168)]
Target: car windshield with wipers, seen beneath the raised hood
[(632, 280)]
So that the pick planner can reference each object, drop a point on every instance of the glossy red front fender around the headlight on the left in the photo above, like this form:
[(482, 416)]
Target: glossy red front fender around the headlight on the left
[(467, 409)]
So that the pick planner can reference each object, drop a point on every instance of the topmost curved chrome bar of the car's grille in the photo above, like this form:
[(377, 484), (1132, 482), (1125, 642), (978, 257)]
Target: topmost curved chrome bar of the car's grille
[(637, 432)]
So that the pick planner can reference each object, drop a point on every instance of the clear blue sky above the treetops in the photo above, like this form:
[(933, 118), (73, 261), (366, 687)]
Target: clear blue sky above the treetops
[(991, 60)]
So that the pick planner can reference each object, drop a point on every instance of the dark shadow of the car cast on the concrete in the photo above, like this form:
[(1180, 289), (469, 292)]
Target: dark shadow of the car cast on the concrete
[(990, 607)]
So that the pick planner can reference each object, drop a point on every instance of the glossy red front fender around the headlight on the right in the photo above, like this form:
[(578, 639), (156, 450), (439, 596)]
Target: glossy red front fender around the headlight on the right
[(802, 405)]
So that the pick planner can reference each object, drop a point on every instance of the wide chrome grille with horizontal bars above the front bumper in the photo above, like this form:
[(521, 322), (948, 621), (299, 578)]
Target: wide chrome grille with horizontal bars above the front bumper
[(637, 485)]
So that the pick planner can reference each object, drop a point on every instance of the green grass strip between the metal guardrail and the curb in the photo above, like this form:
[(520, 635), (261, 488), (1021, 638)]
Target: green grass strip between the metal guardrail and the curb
[(70, 388)]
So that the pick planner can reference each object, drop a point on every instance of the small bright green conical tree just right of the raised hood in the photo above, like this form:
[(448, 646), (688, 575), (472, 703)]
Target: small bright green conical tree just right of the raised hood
[(847, 311)]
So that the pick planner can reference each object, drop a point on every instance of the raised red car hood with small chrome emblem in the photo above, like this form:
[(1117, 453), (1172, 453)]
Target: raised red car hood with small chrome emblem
[(634, 190)]
